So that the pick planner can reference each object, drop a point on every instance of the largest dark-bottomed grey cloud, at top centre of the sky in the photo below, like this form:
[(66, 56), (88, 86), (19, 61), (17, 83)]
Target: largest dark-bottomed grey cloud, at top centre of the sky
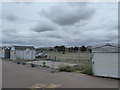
[(68, 13)]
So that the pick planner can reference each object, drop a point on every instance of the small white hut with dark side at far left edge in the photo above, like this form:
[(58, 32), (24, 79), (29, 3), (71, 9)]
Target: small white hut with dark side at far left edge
[(4, 52)]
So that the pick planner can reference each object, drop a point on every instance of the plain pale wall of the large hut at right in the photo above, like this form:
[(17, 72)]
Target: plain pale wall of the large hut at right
[(105, 64)]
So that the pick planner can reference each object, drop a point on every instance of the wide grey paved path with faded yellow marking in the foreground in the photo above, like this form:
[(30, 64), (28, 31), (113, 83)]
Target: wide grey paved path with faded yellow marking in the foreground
[(24, 76)]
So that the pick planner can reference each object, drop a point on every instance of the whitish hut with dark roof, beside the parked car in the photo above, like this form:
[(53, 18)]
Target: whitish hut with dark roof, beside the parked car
[(22, 53)]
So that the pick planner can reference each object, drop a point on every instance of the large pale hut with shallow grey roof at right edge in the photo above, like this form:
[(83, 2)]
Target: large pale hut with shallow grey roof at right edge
[(105, 60)]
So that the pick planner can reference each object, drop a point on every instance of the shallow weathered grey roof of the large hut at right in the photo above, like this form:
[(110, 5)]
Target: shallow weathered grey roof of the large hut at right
[(107, 48)]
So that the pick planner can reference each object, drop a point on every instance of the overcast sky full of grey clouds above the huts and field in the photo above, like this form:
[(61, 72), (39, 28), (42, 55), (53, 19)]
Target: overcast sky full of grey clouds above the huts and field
[(47, 24)]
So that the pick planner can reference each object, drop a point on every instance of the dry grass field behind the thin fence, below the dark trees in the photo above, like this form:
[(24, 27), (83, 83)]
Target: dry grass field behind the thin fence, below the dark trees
[(70, 56)]
